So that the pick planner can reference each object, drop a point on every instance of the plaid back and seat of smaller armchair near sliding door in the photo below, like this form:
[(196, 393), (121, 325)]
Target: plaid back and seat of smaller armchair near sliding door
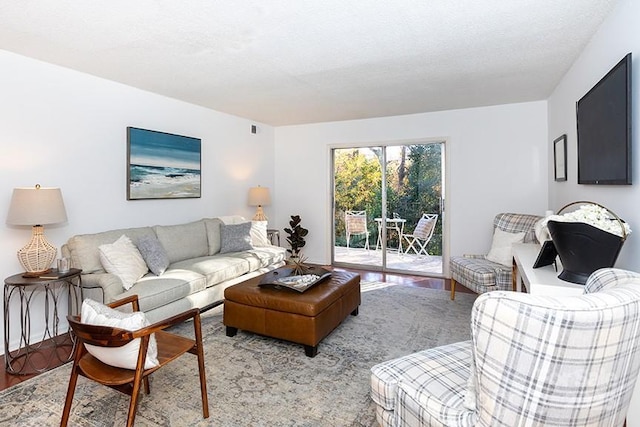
[(477, 273)]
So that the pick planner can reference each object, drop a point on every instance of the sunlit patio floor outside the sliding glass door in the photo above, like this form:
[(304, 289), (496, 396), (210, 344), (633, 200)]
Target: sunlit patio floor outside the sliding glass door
[(406, 262)]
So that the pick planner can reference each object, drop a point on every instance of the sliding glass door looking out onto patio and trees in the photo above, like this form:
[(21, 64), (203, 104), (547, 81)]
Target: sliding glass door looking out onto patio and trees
[(388, 207)]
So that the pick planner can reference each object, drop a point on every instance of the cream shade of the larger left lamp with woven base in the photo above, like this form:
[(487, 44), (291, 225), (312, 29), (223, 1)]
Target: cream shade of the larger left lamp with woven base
[(36, 206)]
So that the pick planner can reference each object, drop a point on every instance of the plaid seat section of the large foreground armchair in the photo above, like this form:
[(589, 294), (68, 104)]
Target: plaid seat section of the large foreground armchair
[(438, 375)]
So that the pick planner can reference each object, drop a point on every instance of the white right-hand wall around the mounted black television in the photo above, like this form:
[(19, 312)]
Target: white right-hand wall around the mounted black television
[(617, 36)]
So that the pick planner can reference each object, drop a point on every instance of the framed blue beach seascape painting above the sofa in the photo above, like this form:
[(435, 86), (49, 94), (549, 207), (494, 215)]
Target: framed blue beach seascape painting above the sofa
[(162, 165)]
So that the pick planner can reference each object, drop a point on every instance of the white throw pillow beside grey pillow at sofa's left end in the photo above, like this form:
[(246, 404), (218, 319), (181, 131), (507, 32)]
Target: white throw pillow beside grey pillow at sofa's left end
[(123, 259)]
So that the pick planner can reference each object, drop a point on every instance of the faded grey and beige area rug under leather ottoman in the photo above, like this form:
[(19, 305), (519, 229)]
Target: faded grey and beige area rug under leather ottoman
[(258, 381)]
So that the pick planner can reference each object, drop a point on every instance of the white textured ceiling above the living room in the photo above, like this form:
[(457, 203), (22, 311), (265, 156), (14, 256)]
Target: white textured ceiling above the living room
[(291, 61)]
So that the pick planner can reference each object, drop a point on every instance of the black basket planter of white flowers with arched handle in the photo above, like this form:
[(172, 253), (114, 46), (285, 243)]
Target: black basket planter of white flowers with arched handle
[(586, 239)]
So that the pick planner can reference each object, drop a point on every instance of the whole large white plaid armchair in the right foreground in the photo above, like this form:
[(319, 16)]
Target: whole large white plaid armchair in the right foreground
[(531, 360)]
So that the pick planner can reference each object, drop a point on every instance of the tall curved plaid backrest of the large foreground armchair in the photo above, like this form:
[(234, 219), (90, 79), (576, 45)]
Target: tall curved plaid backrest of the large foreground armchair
[(565, 361)]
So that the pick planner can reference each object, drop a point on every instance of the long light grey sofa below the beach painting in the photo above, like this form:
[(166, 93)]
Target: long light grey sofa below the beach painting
[(197, 274)]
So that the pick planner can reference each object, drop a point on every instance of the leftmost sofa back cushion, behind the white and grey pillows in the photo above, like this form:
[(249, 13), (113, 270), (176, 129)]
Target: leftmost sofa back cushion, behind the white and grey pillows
[(83, 248)]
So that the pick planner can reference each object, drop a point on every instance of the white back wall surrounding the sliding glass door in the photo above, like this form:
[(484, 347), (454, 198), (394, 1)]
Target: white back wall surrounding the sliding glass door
[(496, 163)]
